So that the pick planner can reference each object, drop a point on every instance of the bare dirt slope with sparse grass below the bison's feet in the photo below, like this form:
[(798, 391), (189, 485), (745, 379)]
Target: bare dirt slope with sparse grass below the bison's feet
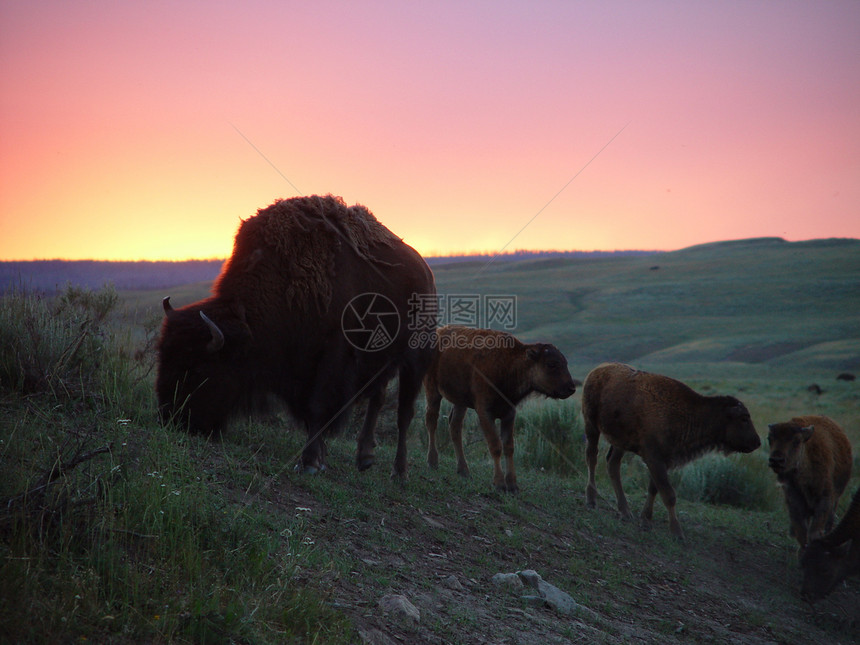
[(439, 539)]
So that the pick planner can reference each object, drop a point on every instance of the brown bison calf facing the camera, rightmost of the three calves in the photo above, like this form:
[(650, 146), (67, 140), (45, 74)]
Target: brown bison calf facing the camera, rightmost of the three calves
[(811, 457)]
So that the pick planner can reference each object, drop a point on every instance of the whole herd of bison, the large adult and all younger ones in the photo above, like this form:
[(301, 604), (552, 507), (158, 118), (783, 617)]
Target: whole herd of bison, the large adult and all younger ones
[(274, 327)]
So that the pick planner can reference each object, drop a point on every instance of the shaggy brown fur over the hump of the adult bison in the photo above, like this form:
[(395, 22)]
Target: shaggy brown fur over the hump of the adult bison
[(299, 239)]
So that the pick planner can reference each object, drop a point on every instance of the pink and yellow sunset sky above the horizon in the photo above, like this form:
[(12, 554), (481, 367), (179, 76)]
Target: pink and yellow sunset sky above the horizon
[(149, 130)]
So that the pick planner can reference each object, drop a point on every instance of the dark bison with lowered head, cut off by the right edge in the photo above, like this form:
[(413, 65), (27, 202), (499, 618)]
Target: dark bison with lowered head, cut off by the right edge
[(829, 560)]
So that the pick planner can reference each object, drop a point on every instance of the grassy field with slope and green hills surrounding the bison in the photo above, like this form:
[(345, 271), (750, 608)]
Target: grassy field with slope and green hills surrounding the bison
[(114, 529)]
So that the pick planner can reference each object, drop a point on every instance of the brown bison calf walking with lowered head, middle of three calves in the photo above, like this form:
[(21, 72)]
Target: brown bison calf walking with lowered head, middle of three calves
[(664, 422)]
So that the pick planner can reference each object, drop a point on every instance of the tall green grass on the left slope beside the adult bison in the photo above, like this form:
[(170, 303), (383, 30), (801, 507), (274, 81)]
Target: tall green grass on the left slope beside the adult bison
[(109, 526)]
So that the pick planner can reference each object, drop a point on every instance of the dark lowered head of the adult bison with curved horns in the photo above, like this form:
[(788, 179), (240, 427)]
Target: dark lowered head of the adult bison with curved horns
[(200, 357)]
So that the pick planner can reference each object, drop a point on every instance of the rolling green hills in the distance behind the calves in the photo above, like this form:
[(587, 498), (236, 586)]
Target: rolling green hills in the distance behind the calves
[(754, 302)]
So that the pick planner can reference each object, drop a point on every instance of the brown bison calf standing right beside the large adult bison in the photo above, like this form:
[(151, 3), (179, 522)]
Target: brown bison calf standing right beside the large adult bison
[(491, 372)]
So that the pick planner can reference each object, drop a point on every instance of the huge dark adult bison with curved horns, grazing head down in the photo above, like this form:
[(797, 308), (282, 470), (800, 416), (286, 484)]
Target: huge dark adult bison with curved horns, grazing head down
[(312, 307)]
